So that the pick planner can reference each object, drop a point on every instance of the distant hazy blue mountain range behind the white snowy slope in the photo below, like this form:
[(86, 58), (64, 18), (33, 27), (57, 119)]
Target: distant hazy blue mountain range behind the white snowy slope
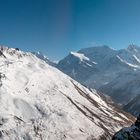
[(114, 72)]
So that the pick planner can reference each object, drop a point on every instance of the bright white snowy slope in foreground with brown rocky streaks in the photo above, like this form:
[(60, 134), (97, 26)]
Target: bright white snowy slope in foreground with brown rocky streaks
[(39, 102)]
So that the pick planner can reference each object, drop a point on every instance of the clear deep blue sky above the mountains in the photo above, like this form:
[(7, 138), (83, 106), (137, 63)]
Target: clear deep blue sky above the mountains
[(56, 27)]
